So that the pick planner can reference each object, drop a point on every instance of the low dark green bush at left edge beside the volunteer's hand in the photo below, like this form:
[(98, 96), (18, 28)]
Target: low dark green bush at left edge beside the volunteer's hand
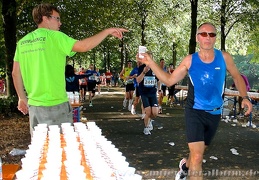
[(8, 105)]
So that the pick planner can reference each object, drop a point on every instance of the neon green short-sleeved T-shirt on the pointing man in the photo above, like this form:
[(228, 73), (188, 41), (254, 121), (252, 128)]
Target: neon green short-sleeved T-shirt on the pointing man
[(42, 58)]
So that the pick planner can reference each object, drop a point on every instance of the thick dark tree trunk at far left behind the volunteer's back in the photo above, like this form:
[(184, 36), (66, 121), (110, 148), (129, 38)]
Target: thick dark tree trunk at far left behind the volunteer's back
[(9, 26)]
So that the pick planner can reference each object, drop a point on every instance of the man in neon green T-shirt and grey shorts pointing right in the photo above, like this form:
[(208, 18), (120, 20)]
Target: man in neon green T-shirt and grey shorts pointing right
[(39, 66)]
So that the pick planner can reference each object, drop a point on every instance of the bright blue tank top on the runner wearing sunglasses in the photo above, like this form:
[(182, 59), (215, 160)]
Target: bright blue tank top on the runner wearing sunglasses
[(206, 83)]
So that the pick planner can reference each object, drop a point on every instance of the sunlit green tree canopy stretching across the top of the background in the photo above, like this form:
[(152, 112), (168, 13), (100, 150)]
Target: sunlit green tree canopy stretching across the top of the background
[(167, 22)]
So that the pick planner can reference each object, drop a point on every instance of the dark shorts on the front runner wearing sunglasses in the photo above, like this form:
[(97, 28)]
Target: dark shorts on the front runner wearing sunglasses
[(200, 125)]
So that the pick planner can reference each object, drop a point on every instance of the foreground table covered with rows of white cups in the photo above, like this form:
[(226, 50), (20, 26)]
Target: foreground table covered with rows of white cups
[(73, 151)]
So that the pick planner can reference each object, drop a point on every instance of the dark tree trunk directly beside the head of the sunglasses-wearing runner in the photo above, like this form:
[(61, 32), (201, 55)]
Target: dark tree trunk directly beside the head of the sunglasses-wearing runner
[(192, 42)]
